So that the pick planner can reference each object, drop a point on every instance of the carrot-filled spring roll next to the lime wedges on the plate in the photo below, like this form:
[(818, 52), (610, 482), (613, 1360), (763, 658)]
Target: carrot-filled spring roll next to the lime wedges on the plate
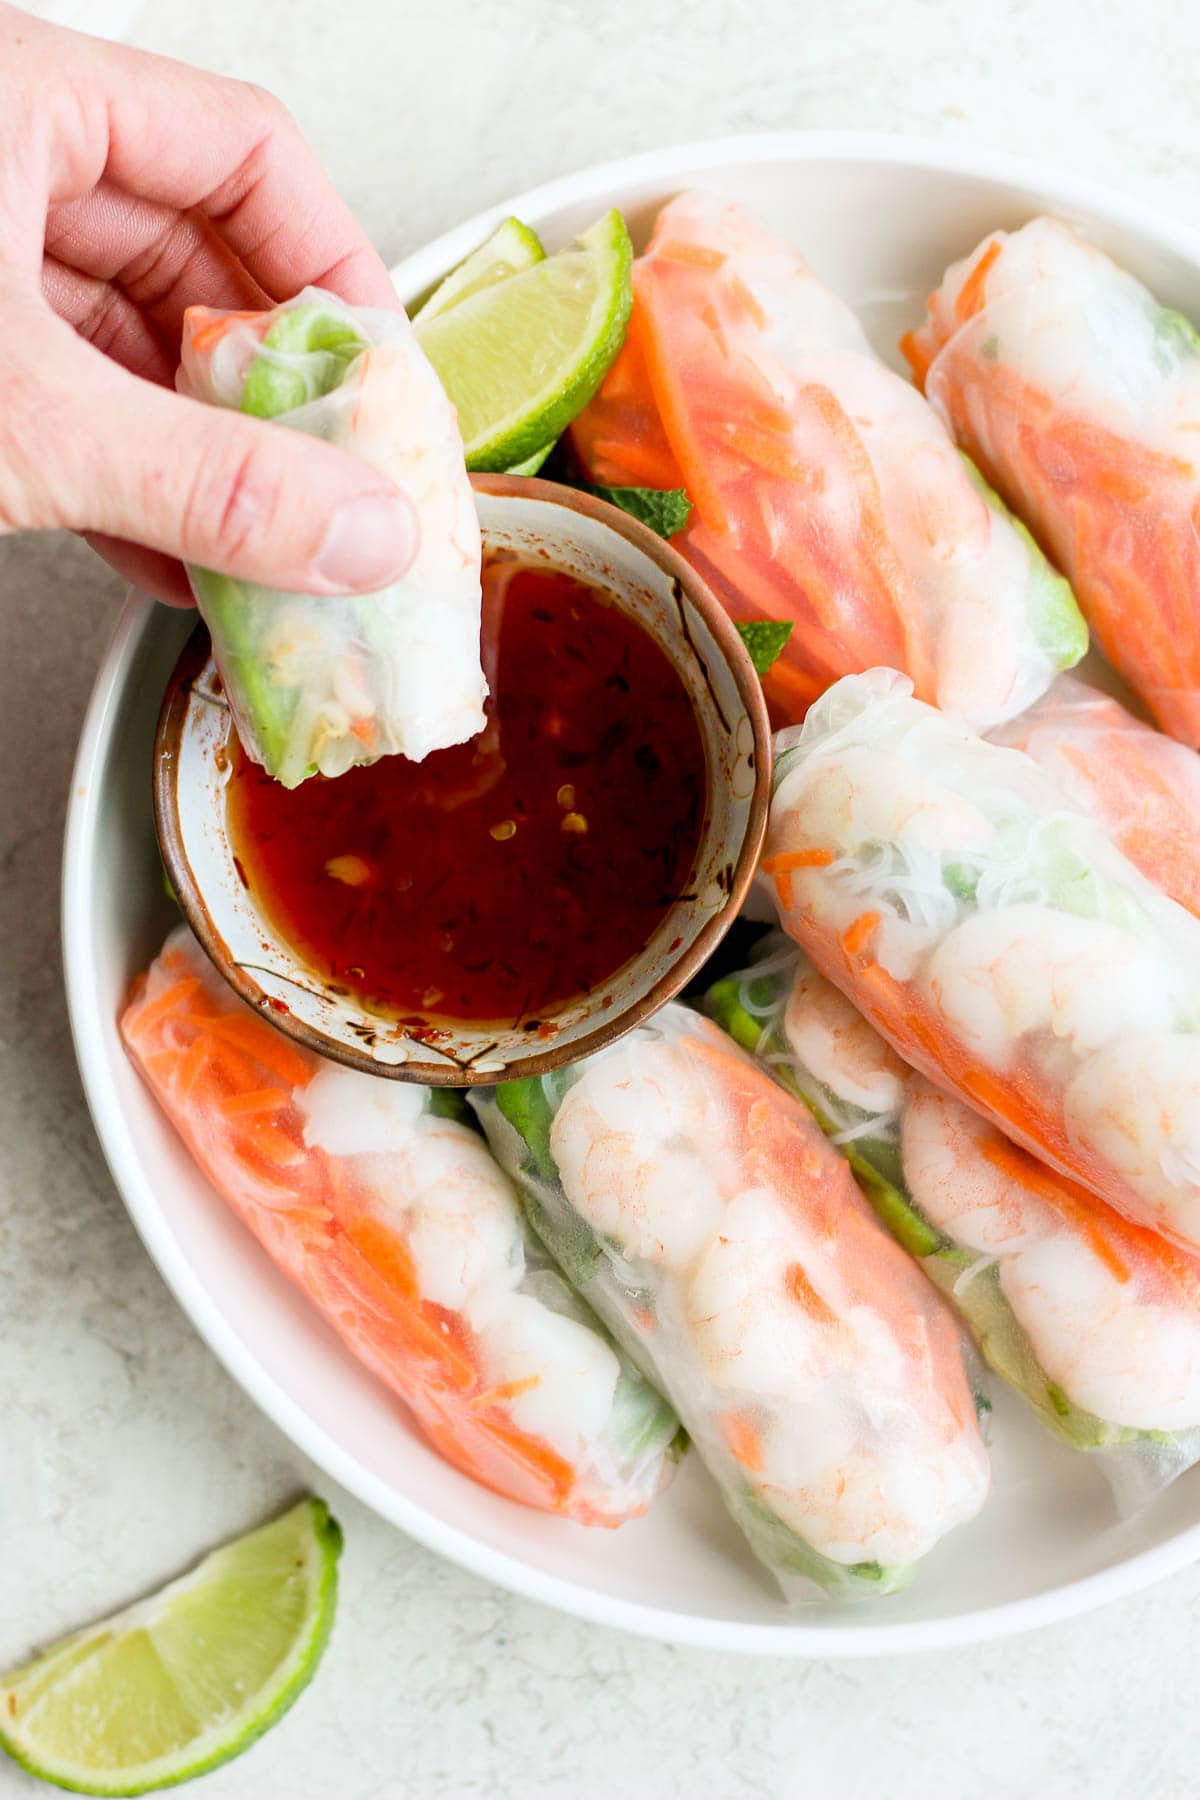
[(825, 490)]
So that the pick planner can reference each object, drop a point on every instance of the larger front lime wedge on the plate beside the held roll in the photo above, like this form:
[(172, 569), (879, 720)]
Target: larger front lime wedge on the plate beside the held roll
[(523, 357)]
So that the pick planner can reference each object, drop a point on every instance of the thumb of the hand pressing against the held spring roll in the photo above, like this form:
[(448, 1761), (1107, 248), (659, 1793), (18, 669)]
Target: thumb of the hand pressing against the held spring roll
[(87, 445)]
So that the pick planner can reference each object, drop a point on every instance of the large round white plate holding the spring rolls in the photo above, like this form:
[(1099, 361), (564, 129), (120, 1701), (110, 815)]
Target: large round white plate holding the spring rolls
[(879, 219)]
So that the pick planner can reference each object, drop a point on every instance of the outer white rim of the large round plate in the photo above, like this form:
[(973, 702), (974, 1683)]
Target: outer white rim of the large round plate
[(789, 1639)]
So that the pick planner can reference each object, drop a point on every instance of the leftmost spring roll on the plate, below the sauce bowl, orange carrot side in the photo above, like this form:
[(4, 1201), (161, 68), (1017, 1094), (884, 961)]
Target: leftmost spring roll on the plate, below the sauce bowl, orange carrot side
[(388, 1212)]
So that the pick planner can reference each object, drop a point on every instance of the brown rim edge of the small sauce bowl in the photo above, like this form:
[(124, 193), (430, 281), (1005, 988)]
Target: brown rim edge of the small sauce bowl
[(168, 737)]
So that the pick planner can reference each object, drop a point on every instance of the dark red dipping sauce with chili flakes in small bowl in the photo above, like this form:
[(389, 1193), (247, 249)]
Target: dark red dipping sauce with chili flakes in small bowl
[(506, 876)]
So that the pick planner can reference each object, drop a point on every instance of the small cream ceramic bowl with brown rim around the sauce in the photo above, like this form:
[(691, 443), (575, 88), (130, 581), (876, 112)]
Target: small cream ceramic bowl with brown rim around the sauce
[(600, 544)]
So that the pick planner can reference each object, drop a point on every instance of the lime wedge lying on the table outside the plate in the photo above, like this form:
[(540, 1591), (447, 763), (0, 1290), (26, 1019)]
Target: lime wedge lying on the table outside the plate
[(188, 1678)]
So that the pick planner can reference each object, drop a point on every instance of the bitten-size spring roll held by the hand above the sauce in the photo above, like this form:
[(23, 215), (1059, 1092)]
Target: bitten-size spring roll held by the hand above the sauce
[(319, 685)]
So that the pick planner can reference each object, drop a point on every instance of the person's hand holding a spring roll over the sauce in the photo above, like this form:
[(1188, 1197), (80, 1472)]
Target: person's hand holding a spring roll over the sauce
[(132, 188)]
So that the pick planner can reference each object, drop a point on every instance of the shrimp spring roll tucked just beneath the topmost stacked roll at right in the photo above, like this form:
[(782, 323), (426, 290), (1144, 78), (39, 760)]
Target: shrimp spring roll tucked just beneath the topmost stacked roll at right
[(1091, 1320)]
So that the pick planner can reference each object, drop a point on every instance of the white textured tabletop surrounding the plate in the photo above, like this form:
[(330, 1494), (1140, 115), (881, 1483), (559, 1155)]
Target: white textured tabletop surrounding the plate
[(125, 1450)]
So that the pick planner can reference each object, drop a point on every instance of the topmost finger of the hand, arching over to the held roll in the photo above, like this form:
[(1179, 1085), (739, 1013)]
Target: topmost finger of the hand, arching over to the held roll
[(188, 139)]
